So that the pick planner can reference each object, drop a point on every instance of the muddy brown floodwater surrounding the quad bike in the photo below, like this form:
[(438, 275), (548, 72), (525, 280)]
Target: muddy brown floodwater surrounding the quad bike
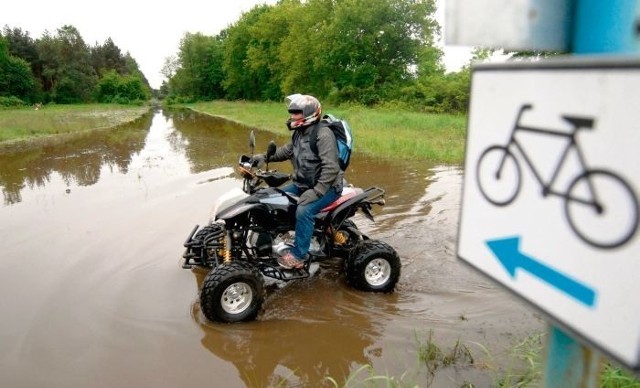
[(92, 292)]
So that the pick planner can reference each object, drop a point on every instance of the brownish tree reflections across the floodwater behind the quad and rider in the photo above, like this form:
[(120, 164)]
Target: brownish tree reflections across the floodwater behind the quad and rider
[(176, 140)]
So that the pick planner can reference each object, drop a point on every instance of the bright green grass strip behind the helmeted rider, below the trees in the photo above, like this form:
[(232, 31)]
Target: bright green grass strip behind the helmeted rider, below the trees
[(388, 133)]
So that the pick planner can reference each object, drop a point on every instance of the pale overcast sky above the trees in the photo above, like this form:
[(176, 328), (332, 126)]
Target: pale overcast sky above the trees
[(149, 32)]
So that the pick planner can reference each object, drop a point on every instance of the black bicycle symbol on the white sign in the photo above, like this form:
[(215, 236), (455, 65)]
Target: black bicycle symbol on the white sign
[(600, 206)]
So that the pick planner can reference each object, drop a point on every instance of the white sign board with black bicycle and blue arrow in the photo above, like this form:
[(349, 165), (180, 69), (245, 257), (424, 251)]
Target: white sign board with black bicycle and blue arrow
[(551, 188)]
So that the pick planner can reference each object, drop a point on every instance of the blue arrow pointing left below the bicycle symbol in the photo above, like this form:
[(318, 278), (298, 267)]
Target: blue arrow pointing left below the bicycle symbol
[(507, 250)]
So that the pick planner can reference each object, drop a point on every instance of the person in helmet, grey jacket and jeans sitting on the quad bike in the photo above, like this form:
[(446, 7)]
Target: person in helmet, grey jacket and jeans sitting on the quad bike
[(317, 178)]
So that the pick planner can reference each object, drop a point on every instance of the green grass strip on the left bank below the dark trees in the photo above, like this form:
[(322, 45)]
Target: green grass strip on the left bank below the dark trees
[(27, 123)]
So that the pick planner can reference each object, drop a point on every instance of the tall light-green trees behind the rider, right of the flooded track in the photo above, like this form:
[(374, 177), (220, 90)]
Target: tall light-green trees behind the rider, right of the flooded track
[(343, 51)]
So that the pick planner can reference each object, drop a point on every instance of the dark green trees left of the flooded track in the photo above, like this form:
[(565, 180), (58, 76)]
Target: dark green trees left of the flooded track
[(61, 68)]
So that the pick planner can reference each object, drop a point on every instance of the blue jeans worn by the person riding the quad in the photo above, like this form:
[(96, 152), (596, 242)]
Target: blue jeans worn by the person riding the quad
[(304, 218)]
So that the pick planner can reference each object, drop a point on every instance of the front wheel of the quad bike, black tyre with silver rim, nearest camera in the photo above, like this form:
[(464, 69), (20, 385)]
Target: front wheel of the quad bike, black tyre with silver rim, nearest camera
[(232, 293)]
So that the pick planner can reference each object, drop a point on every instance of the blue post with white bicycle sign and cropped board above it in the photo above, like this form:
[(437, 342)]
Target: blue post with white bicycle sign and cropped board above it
[(550, 204)]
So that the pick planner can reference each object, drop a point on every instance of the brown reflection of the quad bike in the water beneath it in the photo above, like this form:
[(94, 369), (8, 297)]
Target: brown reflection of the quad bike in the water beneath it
[(299, 339)]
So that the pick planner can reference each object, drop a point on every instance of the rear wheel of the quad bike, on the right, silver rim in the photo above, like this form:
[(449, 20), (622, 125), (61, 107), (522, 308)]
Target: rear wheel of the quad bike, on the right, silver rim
[(374, 267)]
